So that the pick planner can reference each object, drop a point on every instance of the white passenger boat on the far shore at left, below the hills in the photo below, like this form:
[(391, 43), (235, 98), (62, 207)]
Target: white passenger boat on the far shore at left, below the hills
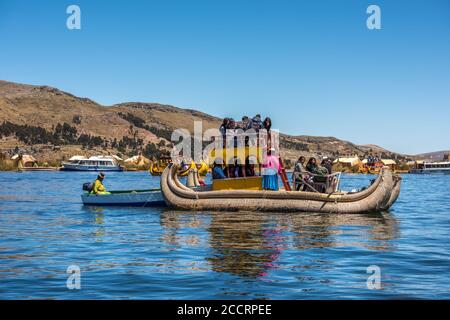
[(98, 163)]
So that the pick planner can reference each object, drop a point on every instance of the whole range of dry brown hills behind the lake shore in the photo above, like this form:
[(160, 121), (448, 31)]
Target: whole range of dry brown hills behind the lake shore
[(136, 125)]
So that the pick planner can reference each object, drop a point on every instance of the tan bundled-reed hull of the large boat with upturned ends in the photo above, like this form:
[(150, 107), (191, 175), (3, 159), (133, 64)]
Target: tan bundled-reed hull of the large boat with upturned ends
[(379, 196)]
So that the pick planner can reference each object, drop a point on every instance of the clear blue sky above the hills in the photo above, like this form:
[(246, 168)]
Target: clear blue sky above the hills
[(313, 66)]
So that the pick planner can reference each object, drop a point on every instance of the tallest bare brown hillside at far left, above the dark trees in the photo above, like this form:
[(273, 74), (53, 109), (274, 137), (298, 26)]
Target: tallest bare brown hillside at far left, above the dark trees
[(46, 107)]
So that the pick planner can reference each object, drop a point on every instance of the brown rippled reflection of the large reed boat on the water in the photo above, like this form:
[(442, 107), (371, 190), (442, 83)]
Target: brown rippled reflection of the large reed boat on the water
[(250, 244)]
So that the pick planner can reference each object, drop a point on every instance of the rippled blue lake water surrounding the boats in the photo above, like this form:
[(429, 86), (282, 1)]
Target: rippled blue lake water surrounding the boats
[(147, 253)]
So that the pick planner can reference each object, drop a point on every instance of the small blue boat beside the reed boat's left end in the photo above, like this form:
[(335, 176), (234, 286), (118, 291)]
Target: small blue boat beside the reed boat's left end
[(126, 198)]
